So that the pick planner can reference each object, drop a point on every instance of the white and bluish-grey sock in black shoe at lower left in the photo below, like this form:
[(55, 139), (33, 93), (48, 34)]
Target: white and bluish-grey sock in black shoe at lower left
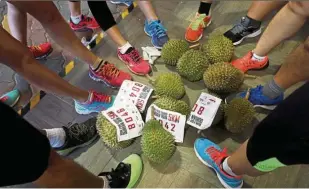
[(56, 137)]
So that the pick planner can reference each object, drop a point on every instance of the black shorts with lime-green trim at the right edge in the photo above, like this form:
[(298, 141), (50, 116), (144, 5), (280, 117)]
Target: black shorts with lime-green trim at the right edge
[(284, 133)]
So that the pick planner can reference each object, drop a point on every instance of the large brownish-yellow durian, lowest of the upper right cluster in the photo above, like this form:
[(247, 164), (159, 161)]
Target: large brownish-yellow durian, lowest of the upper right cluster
[(223, 78)]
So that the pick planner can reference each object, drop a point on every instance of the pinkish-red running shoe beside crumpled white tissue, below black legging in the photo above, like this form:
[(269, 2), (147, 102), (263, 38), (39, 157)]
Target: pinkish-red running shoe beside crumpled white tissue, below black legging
[(134, 61)]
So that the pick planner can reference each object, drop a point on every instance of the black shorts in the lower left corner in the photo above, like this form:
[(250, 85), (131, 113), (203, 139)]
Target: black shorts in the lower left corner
[(24, 152)]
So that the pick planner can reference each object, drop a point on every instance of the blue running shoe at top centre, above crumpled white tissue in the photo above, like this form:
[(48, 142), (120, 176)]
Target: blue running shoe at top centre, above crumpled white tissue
[(157, 32)]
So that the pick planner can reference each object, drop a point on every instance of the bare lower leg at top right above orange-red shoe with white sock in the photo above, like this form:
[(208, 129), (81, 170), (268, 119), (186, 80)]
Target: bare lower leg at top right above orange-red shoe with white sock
[(289, 19)]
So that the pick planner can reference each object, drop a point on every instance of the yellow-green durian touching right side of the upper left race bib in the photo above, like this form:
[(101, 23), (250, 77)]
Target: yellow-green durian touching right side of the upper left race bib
[(169, 84)]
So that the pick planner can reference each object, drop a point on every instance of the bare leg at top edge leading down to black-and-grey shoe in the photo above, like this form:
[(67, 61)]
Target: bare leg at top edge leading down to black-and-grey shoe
[(260, 9)]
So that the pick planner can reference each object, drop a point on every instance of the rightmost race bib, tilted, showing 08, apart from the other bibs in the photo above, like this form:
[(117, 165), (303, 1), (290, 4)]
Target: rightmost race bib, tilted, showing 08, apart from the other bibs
[(204, 111)]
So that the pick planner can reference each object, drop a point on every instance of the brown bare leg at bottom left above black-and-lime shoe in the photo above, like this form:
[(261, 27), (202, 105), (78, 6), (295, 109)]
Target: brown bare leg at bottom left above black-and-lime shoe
[(65, 173)]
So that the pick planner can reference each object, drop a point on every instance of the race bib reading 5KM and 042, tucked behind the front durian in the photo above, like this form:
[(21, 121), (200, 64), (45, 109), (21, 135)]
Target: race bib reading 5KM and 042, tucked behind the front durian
[(172, 122)]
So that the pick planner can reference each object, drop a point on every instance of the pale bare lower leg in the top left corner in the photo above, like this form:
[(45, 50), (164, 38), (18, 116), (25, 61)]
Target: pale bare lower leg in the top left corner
[(18, 23)]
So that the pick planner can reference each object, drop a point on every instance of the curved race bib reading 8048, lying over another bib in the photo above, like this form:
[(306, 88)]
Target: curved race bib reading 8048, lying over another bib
[(127, 120)]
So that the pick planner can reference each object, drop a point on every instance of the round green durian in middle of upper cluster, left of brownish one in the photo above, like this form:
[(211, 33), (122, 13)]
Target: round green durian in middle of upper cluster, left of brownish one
[(192, 65)]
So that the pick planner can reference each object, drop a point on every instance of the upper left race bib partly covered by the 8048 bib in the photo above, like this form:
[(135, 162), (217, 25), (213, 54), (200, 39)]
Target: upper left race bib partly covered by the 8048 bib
[(138, 93)]
